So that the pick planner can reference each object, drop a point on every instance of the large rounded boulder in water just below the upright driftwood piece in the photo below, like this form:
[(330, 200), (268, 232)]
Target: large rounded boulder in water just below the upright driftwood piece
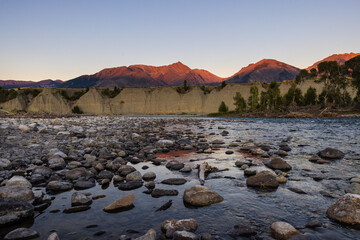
[(201, 196)]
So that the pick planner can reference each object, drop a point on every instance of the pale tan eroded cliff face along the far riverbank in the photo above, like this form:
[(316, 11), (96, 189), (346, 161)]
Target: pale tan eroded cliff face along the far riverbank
[(156, 100)]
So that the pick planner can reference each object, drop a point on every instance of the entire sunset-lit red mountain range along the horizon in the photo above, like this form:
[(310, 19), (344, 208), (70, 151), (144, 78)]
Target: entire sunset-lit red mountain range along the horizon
[(266, 70)]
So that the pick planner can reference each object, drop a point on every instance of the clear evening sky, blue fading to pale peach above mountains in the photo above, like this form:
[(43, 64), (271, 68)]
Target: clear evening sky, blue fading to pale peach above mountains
[(48, 39)]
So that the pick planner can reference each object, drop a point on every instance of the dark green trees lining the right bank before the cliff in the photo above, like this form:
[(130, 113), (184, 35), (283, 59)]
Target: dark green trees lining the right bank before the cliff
[(335, 78)]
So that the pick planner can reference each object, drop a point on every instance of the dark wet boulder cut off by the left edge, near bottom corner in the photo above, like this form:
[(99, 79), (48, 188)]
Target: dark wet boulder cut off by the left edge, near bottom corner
[(12, 211)]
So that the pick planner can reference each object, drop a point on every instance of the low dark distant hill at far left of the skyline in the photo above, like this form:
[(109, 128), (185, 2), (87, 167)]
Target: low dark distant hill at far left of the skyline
[(19, 84)]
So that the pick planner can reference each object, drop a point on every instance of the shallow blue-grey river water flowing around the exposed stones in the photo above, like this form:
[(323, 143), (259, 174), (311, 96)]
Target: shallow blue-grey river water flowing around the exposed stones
[(241, 205)]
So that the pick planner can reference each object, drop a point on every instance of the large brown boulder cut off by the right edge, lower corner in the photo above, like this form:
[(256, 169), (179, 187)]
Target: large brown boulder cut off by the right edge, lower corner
[(346, 210)]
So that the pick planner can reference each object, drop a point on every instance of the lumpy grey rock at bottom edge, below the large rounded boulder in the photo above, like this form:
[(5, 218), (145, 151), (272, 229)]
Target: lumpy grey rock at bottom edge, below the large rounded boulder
[(169, 227)]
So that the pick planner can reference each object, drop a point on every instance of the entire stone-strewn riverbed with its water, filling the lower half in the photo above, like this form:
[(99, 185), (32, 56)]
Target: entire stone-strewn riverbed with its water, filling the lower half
[(99, 177)]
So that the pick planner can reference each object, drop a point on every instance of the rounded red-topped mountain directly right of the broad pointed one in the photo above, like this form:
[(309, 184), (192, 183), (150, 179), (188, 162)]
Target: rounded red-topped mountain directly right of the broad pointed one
[(266, 70)]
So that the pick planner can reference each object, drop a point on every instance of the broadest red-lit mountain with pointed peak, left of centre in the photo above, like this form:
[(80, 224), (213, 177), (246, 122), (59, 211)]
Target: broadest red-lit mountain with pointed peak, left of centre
[(144, 76)]
